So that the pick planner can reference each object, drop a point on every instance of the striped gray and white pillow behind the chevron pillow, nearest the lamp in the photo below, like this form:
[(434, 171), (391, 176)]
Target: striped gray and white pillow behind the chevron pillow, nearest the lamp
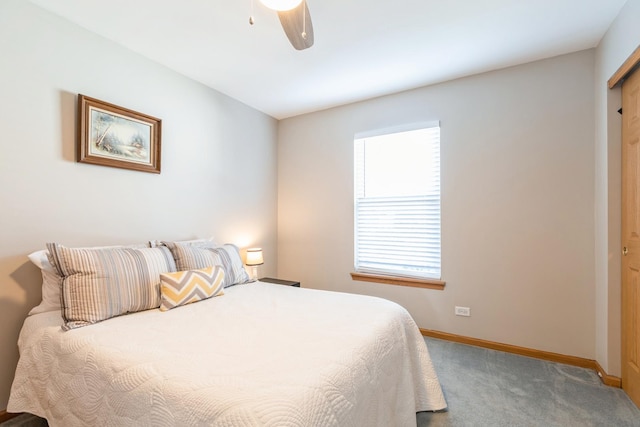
[(190, 257)]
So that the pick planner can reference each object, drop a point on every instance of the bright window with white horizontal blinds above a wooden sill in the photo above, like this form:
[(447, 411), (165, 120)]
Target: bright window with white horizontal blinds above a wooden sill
[(397, 204)]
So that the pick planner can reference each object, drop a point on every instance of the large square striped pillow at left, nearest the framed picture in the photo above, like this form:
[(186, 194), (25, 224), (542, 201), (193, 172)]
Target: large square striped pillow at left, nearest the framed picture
[(102, 283)]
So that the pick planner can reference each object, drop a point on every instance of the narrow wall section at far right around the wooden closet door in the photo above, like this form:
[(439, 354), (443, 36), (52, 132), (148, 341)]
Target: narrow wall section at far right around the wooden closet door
[(617, 45)]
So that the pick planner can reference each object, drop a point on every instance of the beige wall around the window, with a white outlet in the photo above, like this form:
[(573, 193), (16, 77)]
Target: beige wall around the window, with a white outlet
[(517, 202)]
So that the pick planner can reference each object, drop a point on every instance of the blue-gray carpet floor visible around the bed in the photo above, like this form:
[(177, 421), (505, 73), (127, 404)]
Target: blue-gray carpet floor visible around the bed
[(494, 389)]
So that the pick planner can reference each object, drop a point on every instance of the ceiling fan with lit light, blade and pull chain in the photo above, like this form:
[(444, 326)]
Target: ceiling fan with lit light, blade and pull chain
[(295, 20)]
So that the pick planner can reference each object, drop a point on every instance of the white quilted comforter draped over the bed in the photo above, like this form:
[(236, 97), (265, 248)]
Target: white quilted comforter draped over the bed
[(260, 355)]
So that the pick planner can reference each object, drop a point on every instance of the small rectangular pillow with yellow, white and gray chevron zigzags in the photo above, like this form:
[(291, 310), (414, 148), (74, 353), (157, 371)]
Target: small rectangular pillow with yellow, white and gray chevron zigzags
[(185, 287)]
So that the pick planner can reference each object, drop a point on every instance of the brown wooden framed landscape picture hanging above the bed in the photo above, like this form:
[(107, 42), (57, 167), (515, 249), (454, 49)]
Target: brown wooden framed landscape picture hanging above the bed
[(114, 136)]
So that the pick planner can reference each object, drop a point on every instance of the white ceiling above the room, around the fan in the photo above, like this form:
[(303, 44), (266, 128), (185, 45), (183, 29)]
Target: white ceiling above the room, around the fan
[(363, 48)]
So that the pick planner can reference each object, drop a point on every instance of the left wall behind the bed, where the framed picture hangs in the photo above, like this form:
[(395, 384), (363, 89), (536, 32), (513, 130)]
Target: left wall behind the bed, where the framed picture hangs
[(218, 170)]
